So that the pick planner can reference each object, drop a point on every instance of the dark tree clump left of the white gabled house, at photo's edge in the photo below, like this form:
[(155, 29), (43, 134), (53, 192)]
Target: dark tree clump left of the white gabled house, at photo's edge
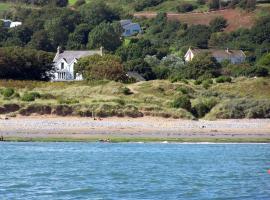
[(25, 64)]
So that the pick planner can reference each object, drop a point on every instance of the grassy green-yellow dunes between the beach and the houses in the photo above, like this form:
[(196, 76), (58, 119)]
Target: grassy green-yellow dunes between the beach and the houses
[(243, 98)]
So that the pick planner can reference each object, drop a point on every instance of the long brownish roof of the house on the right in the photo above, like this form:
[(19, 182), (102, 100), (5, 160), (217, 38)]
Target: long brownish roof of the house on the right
[(220, 52)]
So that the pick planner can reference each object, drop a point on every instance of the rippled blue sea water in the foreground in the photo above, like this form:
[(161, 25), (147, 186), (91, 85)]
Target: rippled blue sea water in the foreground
[(134, 171)]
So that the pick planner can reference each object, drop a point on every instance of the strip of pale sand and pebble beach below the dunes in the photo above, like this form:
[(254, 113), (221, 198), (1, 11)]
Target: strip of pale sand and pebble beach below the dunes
[(146, 127)]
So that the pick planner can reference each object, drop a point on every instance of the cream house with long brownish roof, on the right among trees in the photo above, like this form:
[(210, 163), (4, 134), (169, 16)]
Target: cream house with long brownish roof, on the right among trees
[(234, 56)]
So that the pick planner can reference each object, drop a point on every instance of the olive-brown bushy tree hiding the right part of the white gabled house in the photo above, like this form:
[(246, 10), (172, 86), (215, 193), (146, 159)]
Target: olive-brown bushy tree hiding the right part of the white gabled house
[(98, 67)]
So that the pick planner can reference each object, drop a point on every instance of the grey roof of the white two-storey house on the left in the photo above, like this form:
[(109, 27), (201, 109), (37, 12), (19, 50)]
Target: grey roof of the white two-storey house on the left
[(69, 56)]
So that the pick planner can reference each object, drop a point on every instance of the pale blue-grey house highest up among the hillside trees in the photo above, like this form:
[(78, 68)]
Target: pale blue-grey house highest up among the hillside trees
[(129, 28)]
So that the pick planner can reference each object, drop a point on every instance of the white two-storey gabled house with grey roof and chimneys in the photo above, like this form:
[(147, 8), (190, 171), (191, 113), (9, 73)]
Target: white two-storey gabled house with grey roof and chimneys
[(64, 62)]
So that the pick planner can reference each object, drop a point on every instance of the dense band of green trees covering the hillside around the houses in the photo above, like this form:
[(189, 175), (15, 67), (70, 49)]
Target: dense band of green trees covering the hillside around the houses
[(157, 53)]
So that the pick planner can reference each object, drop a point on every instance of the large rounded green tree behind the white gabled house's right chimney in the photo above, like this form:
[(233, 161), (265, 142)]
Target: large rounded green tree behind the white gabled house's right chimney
[(106, 35)]
